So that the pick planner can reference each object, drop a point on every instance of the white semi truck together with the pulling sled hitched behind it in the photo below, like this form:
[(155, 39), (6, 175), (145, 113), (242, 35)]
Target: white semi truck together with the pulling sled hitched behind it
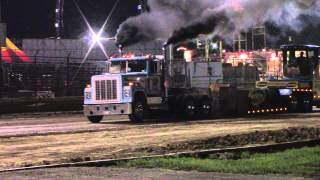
[(135, 85)]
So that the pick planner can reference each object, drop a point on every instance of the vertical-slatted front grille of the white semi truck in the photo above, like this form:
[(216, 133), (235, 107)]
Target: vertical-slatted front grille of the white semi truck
[(106, 90)]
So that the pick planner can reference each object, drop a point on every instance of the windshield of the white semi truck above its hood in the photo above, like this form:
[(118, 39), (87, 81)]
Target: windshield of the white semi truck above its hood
[(130, 66)]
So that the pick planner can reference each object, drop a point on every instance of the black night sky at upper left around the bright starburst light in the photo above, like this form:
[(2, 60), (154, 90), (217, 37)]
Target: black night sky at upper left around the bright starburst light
[(36, 18)]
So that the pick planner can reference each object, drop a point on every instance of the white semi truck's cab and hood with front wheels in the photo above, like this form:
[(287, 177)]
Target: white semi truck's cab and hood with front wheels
[(129, 84)]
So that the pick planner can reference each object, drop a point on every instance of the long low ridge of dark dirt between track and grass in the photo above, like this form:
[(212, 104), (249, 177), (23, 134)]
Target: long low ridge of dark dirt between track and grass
[(265, 137)]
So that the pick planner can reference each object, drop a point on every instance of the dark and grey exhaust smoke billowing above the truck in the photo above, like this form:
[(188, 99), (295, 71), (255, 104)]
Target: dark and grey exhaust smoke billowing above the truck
[(178, 20)]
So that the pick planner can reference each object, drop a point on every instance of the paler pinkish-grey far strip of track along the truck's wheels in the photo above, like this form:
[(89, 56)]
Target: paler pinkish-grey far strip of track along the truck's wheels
[(49, 124)]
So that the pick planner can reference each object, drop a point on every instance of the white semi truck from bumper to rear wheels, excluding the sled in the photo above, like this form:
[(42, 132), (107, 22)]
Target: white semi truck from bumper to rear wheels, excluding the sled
[(135, 85)]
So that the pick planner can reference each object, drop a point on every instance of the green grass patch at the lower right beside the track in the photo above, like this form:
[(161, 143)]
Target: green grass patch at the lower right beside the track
[(305, 161)]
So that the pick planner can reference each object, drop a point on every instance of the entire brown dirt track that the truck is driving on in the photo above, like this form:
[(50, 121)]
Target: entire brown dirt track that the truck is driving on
[(117, 138)]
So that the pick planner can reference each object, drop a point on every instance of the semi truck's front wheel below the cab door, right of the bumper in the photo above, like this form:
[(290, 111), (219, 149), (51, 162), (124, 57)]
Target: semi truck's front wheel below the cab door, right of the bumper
[(138, 111)]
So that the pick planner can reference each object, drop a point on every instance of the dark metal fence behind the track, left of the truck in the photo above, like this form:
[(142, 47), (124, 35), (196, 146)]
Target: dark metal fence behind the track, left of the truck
[(61, 76)]
